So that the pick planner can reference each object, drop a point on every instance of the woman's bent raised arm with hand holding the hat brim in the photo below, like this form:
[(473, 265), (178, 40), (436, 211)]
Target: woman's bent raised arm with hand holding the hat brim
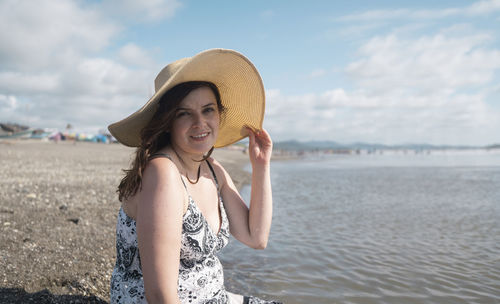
[(251, 226)]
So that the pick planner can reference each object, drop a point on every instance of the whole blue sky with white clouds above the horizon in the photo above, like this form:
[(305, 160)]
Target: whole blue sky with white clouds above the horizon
[(390, 72)]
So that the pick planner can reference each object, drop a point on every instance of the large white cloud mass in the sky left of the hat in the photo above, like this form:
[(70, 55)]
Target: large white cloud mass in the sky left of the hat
[(52, 71)]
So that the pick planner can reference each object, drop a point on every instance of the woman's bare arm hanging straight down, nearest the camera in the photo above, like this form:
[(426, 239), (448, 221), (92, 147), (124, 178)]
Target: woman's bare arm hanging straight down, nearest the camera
[(159, 228)]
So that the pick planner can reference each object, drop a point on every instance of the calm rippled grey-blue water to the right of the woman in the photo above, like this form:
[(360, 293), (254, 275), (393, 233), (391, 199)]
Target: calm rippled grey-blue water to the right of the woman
[(378, 229)]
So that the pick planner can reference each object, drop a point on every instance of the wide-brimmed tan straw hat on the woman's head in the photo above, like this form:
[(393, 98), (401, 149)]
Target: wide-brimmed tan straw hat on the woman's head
[(239, 83)]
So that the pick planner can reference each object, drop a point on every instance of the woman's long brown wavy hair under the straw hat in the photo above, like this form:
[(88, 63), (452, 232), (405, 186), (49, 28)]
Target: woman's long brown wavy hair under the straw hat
[(156, 134)]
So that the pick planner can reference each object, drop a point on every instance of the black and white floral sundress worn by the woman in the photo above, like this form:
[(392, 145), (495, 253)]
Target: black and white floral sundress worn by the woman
[(201, 277)]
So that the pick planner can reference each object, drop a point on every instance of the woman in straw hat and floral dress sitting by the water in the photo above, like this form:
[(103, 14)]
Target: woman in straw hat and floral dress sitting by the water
[(178, 203)]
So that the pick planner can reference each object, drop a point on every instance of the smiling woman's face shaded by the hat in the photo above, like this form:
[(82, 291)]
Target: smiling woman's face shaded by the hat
[(196, 122)]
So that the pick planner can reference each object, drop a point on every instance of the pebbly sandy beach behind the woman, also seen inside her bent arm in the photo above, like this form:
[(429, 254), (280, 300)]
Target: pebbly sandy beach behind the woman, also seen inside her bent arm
[(58, 211)]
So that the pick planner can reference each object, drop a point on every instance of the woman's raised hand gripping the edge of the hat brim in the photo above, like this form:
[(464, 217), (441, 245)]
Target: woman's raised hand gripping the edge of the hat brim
[(260, 147)]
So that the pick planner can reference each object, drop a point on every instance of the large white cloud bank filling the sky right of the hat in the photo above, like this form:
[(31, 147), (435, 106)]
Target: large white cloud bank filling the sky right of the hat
[(415, 83)]
